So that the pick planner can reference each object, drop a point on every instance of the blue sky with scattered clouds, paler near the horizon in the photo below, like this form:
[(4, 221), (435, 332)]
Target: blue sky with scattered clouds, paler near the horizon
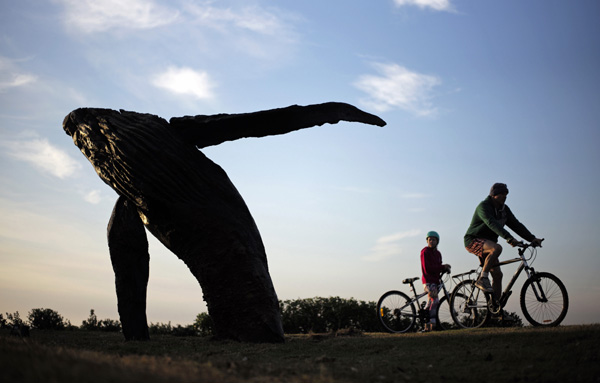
[(473, 92)]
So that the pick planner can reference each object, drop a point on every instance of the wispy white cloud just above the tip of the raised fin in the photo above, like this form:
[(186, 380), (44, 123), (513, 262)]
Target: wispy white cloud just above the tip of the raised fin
[(398, 87)]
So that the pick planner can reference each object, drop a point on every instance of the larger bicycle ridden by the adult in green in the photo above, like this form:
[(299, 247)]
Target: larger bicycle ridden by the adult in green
[(544, 299)]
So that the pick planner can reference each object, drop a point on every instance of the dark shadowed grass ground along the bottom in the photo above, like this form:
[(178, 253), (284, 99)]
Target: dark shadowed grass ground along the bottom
[(562, 354)]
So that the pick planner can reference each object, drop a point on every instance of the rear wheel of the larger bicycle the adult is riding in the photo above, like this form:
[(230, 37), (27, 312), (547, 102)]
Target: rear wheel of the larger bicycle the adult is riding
[(468, 305)]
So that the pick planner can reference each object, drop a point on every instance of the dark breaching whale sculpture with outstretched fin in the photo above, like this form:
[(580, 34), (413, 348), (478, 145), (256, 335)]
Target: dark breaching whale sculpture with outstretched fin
[(168, 186)]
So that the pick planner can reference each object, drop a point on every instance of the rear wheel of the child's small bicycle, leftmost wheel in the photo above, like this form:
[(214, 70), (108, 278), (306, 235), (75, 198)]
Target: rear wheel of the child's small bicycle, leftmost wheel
[(396, 312)]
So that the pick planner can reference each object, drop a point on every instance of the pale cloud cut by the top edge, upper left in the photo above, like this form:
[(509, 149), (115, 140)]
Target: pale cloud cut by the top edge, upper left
[(89, 16)]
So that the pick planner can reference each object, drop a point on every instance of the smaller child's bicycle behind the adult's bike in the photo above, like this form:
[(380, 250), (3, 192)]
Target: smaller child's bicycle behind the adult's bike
[(398, 313)]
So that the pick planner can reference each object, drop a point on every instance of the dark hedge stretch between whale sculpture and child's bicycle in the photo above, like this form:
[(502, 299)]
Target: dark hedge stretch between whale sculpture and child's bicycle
[(327, 314)]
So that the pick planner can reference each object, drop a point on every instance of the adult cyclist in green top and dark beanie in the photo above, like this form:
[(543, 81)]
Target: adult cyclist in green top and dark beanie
[(489, 219)]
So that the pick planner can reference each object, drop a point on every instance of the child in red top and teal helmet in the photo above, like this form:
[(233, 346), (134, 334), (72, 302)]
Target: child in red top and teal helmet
[(432, 268)]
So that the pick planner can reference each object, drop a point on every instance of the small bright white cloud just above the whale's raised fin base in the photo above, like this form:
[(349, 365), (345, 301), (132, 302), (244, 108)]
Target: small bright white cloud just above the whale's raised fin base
[(185, 81)]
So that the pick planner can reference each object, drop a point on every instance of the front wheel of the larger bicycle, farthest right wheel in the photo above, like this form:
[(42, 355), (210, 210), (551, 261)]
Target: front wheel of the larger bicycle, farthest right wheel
[(544, 300)]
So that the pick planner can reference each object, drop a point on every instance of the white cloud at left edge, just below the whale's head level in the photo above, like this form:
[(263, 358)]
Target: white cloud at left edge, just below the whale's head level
[(44, 156)]
